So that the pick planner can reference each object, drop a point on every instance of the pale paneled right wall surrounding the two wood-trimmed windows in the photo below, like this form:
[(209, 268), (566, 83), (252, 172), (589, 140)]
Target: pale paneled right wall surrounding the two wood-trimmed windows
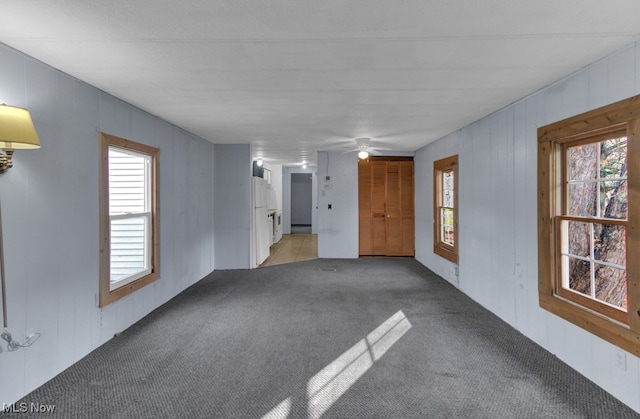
[(498, 221)]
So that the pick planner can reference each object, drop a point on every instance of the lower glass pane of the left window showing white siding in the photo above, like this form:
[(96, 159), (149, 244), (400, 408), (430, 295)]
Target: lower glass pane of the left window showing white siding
[(128, 238)]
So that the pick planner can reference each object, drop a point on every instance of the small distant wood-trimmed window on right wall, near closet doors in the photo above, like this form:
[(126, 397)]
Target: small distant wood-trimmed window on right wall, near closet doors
[(445, 212)]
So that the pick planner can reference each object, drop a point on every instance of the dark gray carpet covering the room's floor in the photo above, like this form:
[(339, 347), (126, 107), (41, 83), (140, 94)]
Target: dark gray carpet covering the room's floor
[(238, 343)]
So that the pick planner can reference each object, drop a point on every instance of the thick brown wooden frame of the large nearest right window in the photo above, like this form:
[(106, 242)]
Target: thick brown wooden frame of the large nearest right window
[(623, 332)]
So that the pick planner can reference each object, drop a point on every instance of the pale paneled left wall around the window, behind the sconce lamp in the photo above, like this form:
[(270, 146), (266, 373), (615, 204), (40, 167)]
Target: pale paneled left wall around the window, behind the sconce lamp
[(50, 220)]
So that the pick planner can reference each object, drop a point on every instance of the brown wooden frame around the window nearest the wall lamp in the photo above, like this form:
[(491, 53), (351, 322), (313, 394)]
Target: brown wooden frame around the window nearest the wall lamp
[(106, 294)]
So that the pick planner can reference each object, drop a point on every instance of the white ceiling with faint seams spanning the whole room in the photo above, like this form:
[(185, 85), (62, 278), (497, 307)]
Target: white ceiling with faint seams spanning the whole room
[(293, 77)]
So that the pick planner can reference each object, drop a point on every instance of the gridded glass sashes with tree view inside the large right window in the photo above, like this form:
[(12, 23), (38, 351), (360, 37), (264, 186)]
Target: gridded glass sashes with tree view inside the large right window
[(594, 222)]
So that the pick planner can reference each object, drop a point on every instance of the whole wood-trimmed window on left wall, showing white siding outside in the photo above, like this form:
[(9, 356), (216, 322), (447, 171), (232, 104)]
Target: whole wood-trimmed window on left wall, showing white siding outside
[(128, 217)]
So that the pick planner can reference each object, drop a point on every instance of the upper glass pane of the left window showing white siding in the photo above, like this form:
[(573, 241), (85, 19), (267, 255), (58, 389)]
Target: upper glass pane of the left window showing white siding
[(127, 181)]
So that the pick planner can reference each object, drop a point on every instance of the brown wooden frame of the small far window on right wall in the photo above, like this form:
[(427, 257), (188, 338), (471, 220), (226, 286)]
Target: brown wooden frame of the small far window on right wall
[(448, 164)]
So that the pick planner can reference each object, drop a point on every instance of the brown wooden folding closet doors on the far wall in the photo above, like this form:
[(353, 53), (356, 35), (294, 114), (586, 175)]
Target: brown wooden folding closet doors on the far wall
[(386, 214)]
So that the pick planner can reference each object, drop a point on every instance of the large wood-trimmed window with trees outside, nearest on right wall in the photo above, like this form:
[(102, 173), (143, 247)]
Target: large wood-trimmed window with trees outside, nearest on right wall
[(589, 221)]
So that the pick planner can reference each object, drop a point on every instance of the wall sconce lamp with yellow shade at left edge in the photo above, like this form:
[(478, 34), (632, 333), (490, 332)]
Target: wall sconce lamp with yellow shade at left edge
[(16, 131)]
